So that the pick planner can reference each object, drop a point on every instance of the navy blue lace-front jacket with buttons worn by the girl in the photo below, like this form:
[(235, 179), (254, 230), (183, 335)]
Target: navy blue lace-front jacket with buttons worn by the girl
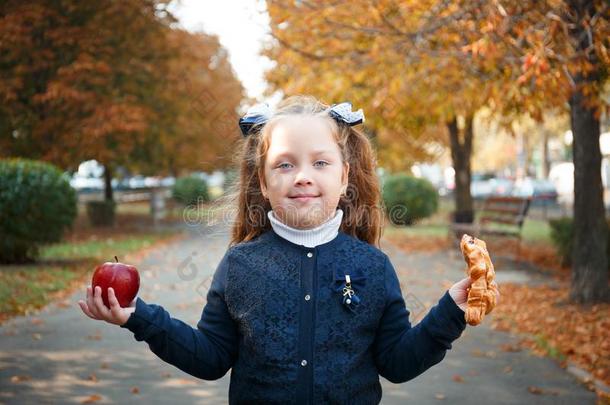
[(275, 315)]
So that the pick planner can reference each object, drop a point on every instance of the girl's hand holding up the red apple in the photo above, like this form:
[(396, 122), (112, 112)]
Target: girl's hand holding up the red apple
[(95, 308)]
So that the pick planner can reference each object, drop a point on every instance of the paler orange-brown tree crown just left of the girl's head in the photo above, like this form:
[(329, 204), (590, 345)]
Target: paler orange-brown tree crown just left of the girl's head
[(196, 114)]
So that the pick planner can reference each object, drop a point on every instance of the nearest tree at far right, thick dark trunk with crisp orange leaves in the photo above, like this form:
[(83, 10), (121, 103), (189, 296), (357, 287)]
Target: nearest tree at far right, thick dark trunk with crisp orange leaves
[(561, 49)]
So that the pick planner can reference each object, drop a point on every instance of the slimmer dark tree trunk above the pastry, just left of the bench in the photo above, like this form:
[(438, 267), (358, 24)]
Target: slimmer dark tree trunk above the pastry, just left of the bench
[(461, 151)]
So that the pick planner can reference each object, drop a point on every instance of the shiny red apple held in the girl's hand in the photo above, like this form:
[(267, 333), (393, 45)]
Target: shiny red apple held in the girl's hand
[(123, 278)]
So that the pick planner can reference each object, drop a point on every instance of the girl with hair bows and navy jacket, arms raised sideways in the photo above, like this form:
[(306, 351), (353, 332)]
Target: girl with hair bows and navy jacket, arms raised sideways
[(303, 307)]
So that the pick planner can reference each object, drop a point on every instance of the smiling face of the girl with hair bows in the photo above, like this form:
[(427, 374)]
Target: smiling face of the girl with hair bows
[(304, 174)]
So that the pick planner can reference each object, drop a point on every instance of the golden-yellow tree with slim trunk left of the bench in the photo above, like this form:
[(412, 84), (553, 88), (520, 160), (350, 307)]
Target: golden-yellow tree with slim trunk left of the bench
[(409, 63)]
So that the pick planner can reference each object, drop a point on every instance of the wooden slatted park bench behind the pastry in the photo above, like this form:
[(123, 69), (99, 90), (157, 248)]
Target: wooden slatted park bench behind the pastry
[(500, 217)]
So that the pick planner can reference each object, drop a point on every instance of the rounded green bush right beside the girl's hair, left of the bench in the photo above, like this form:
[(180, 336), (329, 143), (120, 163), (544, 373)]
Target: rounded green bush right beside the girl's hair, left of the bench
[(408, 199)]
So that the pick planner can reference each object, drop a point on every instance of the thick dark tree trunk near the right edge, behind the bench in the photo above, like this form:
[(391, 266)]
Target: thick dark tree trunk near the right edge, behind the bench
[(589, 261)]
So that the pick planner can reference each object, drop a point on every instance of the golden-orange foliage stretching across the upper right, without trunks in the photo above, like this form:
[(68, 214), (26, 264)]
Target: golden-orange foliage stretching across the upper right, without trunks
[(413, 64)]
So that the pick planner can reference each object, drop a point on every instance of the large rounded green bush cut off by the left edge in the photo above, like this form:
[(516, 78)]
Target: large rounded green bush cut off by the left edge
[(37, 205)]
